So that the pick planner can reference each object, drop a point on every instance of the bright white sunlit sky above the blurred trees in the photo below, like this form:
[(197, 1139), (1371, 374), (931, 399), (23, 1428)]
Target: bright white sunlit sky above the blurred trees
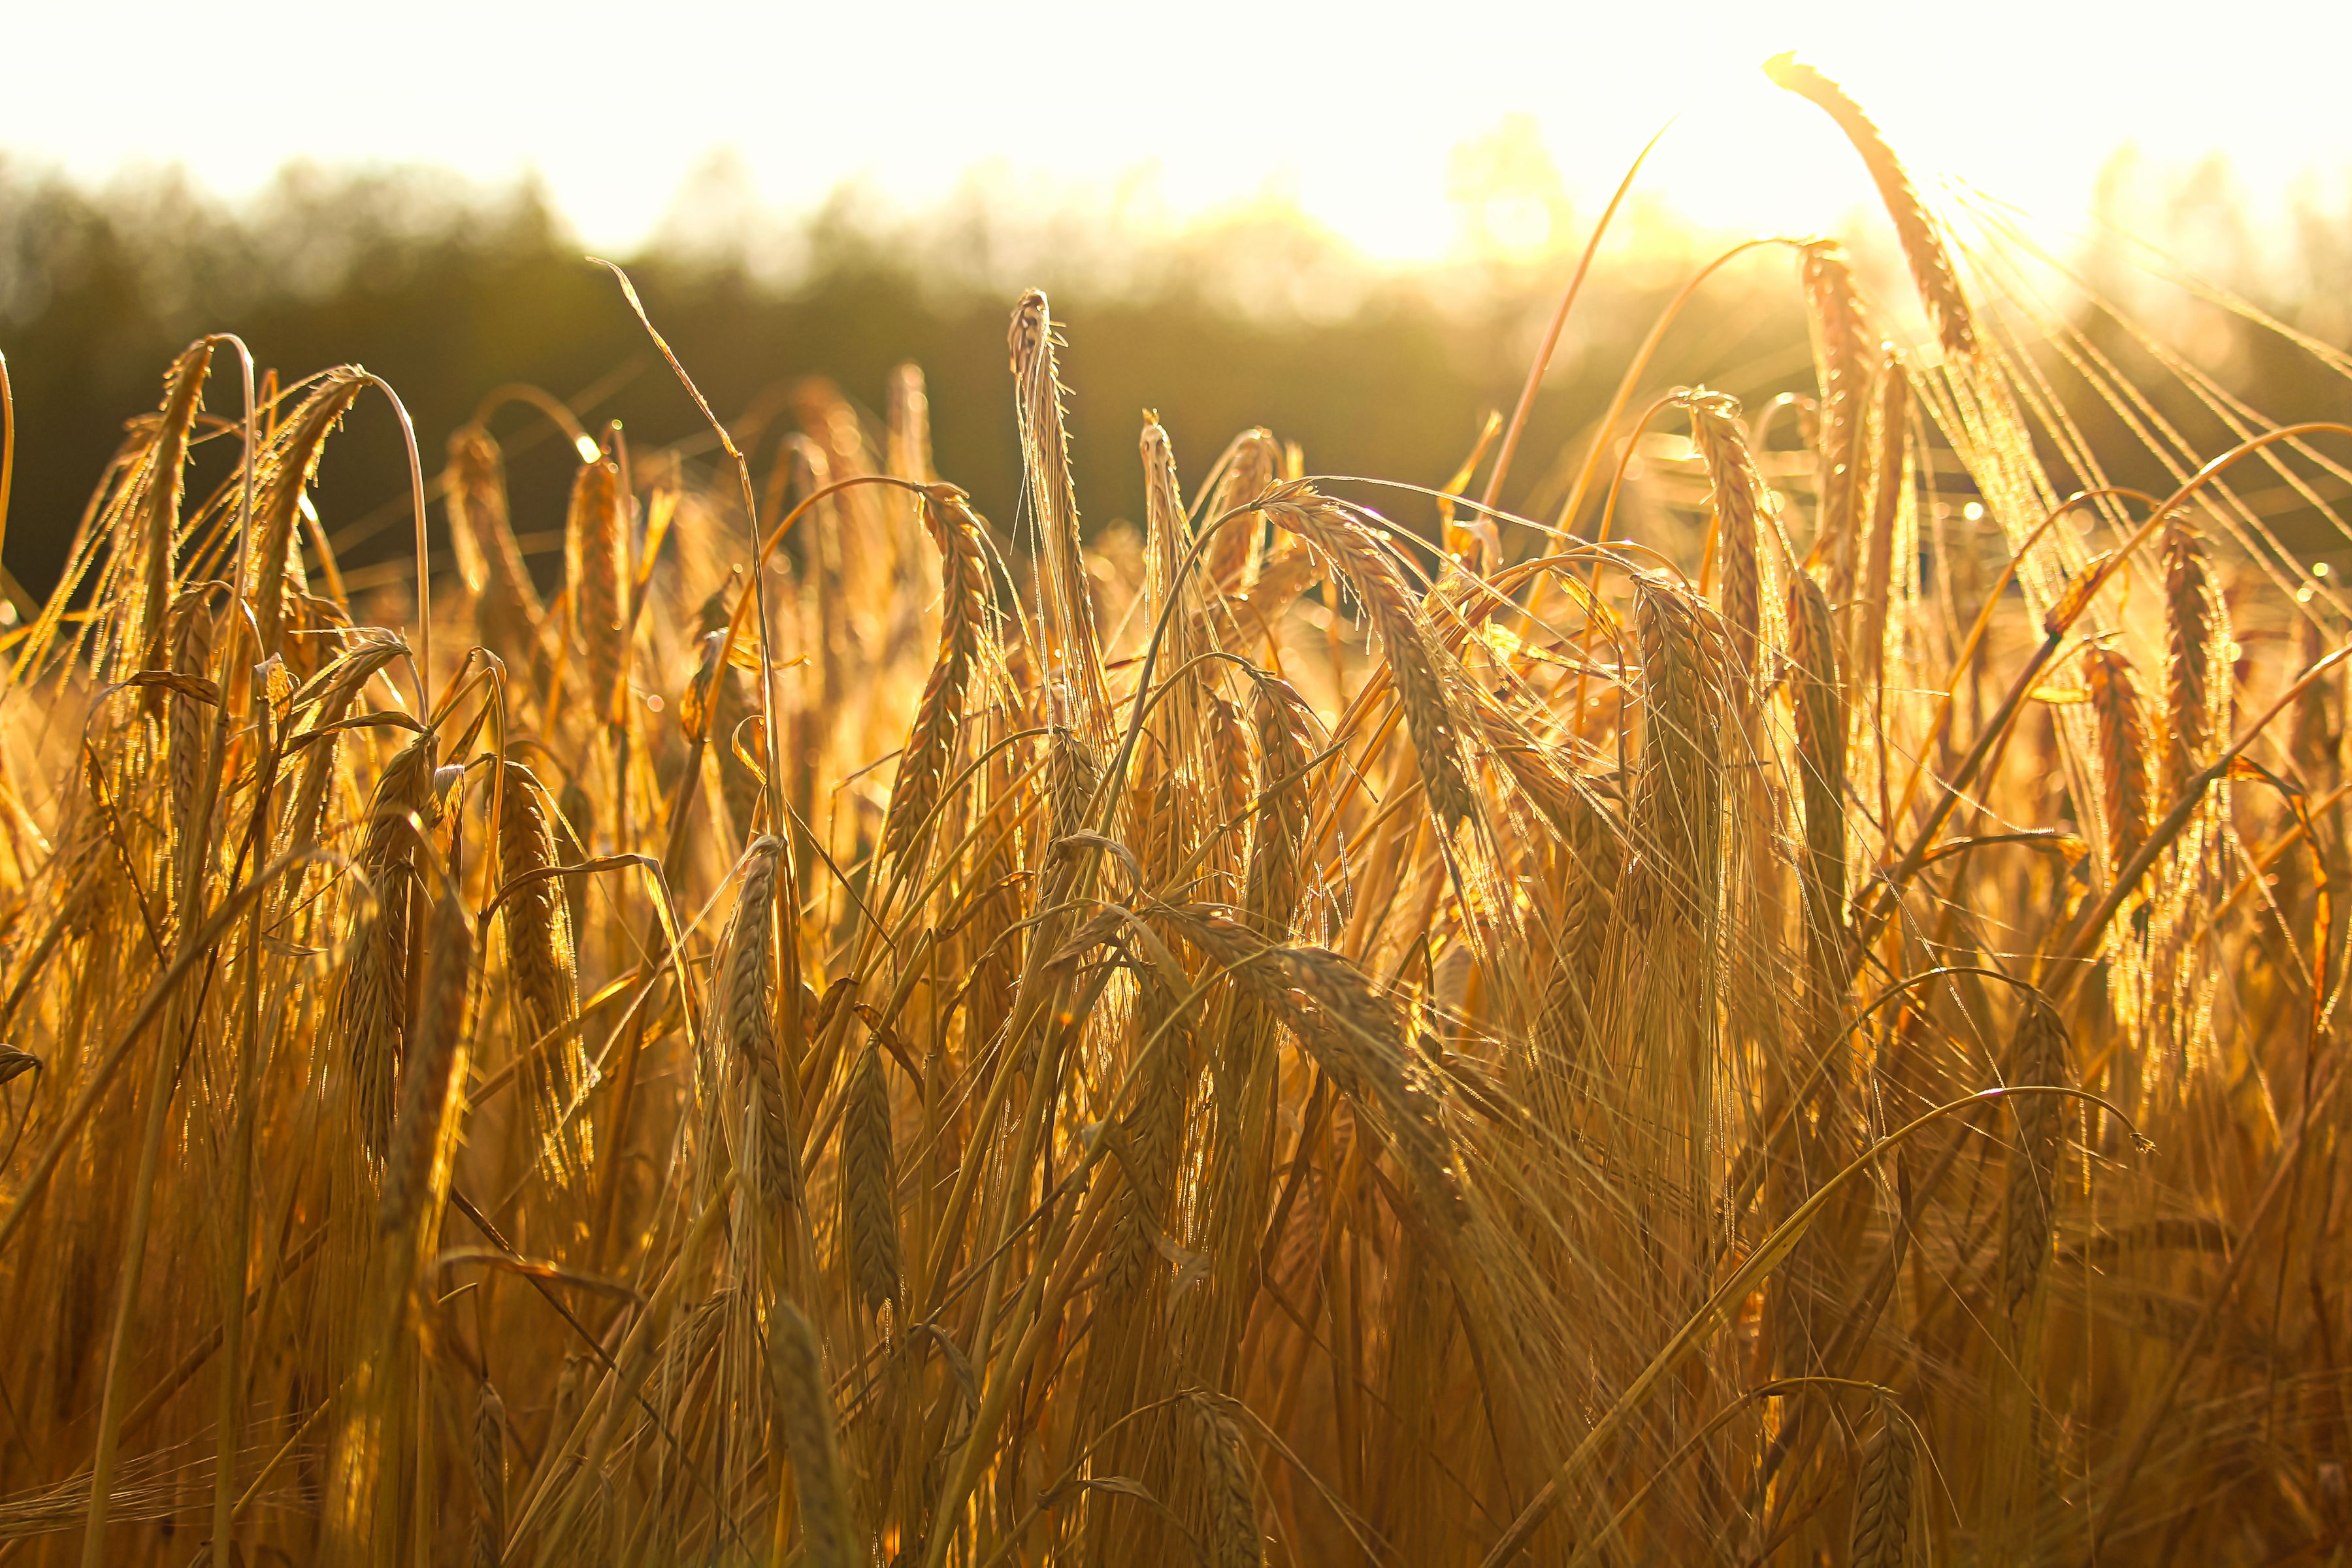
[(1351, 109)]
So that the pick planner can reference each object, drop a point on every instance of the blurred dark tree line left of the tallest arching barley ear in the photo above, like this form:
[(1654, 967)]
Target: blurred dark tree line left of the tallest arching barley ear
[(450, 290)]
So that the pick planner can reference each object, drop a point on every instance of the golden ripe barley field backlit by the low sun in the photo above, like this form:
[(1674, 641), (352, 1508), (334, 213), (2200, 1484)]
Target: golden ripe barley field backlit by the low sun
[(1782, 1014)]
